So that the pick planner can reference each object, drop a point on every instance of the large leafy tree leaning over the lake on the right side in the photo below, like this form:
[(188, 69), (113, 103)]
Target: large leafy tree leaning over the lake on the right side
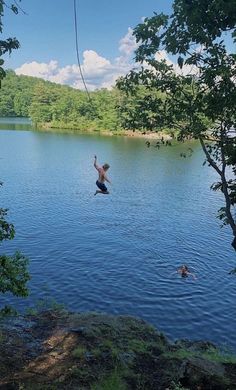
[(201, 103)]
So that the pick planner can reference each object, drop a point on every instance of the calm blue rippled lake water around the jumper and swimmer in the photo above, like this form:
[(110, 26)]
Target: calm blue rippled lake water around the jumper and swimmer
[(118, 253)]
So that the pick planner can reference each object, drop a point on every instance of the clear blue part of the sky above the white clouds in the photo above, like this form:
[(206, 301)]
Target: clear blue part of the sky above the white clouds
[(47, 31)]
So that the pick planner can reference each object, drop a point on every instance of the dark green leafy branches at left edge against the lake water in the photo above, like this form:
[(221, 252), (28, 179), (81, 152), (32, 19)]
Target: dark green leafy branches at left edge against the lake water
[(13, 269)]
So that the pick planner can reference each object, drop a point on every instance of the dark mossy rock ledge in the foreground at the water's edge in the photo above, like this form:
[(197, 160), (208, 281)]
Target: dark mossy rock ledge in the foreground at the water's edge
[(61, 350)]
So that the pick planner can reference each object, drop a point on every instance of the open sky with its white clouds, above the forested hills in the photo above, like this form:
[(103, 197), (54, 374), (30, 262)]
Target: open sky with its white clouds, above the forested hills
[(47, 37)]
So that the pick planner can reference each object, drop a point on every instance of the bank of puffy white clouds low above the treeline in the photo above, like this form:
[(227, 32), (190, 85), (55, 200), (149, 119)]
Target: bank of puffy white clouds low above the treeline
[(98, 71)]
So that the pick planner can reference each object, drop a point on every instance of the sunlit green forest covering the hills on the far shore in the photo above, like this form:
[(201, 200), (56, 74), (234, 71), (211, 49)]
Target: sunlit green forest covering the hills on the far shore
[(61, 106)]
